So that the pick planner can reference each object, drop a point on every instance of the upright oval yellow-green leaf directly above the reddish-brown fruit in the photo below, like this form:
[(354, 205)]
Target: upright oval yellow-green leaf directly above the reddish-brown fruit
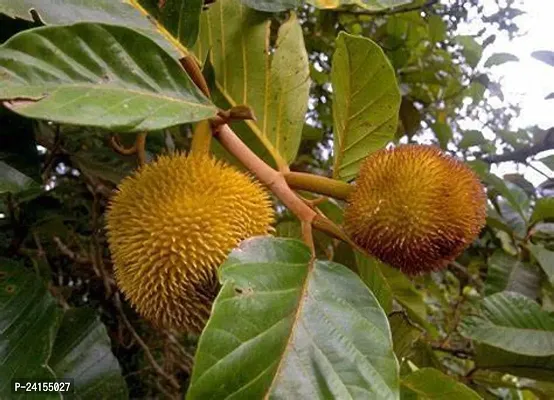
[(366, 102)]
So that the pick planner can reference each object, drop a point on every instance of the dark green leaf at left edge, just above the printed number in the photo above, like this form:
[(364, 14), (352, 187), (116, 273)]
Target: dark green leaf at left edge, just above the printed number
[(28, 323)]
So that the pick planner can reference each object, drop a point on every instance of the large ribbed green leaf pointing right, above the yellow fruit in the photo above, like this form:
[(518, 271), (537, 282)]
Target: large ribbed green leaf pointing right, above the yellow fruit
[(98, 75)]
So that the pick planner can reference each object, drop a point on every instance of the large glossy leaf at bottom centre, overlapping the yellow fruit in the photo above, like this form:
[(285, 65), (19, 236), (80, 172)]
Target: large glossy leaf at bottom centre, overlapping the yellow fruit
[(288, 327)]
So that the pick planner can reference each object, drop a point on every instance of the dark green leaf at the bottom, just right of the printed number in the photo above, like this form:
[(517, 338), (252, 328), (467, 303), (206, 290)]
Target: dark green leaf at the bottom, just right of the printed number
[(82, 351)]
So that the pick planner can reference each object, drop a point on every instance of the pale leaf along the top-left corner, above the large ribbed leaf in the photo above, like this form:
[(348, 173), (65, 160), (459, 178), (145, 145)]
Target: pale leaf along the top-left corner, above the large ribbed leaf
[(128, 13)]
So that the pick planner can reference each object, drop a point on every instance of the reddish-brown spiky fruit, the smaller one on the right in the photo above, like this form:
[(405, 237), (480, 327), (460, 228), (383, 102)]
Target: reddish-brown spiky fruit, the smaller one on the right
[(415, 208)]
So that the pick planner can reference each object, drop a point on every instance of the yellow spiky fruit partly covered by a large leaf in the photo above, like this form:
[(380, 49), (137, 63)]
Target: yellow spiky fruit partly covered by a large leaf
[(171, 225)]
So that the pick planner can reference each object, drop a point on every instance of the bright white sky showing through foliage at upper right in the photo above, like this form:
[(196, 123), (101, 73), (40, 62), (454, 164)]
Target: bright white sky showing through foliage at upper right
[(528, 81)]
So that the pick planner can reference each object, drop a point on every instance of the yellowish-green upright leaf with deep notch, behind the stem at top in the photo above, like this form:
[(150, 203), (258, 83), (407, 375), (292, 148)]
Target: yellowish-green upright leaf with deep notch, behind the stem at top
[(273, 82)]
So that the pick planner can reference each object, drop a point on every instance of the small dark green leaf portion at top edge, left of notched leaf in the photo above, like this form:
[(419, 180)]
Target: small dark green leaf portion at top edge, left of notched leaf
[(181, 18)]
